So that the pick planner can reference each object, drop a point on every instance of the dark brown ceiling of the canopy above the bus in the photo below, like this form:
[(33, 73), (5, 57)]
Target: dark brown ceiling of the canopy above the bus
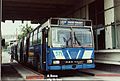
[(36, 10)]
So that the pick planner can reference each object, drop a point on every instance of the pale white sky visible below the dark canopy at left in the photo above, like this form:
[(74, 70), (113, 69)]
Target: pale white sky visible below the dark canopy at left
[(9, 28)]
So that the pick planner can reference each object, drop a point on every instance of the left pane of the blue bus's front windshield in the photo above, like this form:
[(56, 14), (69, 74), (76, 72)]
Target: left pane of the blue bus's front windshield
[(60, 36)]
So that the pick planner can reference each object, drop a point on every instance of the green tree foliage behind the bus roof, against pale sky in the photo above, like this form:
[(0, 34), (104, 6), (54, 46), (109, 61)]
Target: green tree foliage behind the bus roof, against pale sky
[(24, 30)]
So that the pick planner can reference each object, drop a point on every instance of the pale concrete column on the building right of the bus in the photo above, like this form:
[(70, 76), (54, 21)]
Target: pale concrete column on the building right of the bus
[(109, 18)]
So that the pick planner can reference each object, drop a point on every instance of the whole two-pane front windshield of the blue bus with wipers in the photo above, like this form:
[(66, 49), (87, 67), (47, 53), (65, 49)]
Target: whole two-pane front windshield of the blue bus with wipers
[(71, 37)]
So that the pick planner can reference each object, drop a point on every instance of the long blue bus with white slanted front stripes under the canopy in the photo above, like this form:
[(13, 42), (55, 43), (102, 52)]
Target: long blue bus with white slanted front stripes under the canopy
[(59, 44)]
